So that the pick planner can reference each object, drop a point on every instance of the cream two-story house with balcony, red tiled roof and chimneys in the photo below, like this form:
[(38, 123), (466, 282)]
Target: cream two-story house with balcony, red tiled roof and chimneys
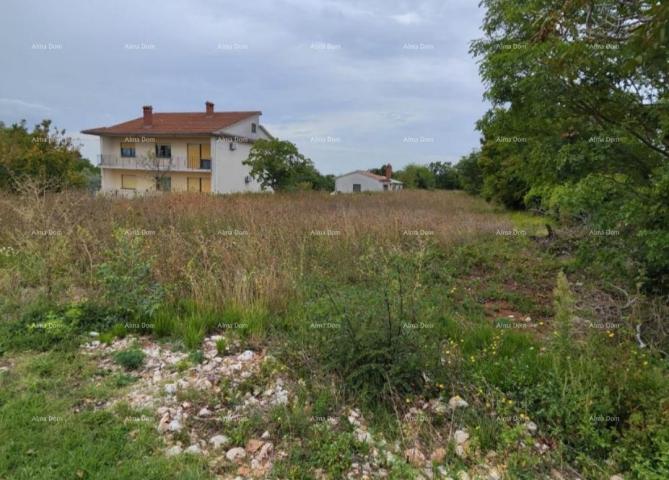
[(194, 152)]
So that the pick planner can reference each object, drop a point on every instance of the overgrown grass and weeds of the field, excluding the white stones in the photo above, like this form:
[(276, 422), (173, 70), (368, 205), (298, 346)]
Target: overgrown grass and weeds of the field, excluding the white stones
[(404, 299)]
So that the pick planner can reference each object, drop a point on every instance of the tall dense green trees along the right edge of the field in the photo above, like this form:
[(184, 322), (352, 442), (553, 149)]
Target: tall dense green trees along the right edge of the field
[(579, 123)]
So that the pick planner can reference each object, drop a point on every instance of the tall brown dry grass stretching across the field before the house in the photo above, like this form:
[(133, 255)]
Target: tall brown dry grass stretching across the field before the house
[(243, 248)]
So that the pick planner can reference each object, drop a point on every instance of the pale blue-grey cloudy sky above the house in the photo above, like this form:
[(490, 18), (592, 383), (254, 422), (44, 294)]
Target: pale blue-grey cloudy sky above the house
[(355, 84)]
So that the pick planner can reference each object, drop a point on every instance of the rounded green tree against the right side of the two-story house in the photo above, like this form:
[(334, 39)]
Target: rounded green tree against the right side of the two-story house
[(277, 164)]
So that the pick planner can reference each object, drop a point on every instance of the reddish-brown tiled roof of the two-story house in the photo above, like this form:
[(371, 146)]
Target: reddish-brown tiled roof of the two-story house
[(199, 123)]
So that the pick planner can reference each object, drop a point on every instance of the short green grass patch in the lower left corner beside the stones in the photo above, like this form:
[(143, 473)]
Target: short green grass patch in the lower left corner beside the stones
[(46, 431)]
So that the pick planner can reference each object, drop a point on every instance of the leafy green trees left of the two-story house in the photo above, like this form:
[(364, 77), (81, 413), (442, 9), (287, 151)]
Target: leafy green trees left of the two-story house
[(45, 154)]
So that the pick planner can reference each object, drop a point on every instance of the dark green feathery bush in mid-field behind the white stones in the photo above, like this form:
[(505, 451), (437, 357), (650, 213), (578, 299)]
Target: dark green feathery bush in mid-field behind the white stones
[(368, 334)]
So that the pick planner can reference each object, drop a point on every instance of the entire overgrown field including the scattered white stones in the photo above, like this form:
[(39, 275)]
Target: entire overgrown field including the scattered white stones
[(412, 335)]
